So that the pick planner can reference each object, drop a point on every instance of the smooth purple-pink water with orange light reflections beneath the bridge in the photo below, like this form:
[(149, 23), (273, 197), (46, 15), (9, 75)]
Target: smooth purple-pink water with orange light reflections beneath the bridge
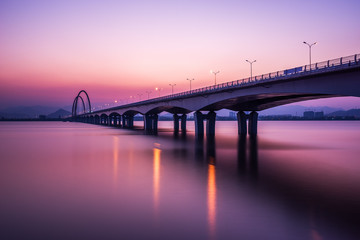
[(297, 180)]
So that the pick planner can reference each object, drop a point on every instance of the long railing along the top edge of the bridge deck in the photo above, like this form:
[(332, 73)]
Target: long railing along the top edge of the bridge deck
[(324, 66)]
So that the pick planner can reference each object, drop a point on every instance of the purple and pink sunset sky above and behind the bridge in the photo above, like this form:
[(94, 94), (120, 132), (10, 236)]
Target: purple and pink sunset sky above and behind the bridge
[(118, 50)]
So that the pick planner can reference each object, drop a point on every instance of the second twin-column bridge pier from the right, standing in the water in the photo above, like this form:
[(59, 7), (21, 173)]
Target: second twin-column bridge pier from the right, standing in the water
[(199, 123)]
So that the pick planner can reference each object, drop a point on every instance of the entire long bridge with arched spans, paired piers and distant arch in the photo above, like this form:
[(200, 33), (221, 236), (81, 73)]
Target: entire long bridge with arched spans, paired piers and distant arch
[(333, 78)]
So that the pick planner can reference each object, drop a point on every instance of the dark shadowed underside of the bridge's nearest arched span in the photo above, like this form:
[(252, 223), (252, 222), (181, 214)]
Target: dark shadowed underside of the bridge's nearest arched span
[(262, 101)]
